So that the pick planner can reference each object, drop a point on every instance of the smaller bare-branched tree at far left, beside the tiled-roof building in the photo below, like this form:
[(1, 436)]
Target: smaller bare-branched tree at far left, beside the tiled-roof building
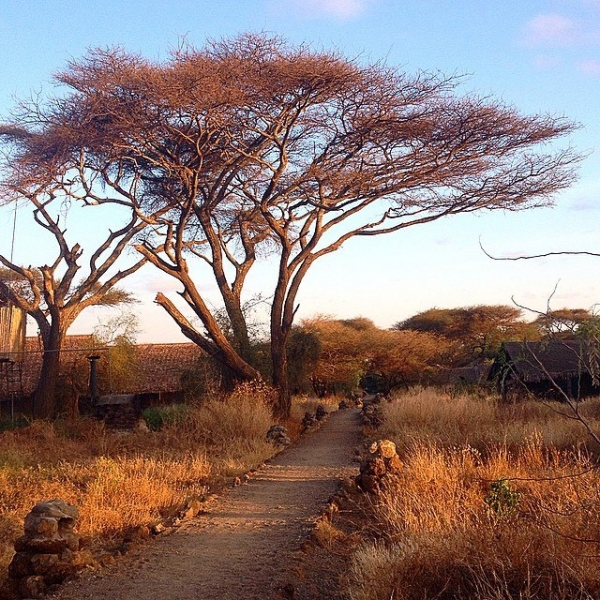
[(55, 294)]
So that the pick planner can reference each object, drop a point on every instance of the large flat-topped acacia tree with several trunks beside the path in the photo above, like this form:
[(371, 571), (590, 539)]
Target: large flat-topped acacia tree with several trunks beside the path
[(258, 148)]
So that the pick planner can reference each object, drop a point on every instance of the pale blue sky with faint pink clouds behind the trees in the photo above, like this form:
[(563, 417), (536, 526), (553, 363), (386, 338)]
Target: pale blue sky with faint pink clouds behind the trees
[(541, 56)]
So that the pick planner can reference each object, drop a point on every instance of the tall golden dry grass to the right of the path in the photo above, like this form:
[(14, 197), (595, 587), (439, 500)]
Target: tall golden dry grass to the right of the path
[(494, 503)]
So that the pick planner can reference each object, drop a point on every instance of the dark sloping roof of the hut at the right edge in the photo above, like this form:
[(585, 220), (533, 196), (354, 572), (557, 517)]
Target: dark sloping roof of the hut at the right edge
[(535, 361)]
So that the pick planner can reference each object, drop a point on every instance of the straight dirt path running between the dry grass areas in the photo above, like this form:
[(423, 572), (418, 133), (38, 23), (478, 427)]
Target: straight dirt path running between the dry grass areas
[(242, 548)]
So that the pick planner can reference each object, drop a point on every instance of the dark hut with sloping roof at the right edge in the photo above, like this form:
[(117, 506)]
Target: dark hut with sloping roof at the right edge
[(545, 369)]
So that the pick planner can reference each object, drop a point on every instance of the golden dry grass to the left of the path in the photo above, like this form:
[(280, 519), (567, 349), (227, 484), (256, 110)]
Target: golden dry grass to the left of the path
[(125, 480)]
